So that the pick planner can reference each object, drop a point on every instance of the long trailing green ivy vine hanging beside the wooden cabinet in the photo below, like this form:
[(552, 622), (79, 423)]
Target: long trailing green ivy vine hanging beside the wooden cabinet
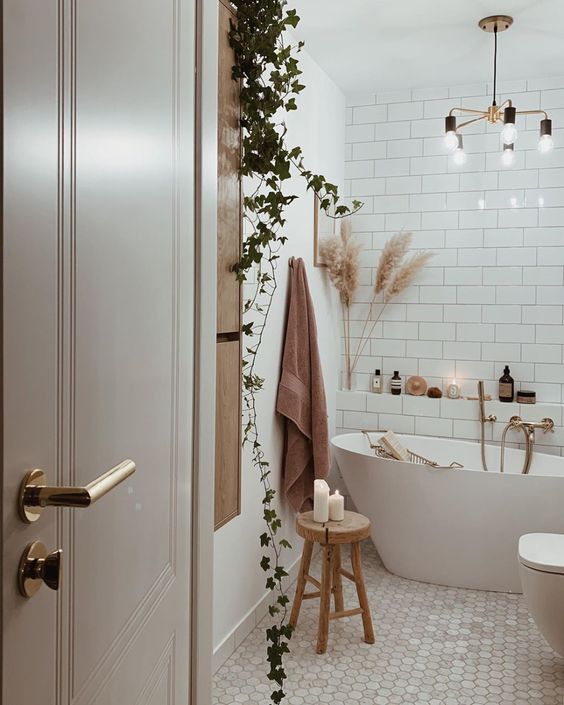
[(268, 72)]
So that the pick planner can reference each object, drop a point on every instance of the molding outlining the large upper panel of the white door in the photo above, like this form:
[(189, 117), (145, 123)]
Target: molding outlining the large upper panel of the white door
[(102, 671)]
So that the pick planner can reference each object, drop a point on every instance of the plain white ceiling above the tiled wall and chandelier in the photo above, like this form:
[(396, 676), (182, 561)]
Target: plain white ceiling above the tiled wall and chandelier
[(371, 45)]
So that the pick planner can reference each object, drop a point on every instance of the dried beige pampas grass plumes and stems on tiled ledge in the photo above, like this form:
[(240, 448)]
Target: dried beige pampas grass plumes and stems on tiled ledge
[(394, 275)]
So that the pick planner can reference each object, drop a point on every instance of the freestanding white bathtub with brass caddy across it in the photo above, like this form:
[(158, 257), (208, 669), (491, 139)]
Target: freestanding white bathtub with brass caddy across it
[(457, 527)]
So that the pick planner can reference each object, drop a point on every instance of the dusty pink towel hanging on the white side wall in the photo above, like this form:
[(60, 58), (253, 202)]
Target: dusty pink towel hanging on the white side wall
[(301, 398)]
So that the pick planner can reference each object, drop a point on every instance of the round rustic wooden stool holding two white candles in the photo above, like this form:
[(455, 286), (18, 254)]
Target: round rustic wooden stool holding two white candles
[(353, 529)]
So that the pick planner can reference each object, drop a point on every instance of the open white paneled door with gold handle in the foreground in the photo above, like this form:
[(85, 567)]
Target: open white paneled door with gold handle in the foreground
[(98, 344)]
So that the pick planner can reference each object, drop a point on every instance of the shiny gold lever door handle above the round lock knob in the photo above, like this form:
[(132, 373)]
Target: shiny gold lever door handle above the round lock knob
[(35, 494)]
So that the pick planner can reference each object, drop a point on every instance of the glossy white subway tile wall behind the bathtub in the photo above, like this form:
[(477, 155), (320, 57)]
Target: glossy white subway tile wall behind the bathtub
[(493, 294)]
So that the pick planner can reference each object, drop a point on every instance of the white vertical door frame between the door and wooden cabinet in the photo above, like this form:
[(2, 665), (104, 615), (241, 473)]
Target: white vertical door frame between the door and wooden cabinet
[(201, 607)]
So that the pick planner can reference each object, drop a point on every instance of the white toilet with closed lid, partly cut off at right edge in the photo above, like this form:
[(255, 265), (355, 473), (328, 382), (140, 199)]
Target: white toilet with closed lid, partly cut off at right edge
[(541, 558)]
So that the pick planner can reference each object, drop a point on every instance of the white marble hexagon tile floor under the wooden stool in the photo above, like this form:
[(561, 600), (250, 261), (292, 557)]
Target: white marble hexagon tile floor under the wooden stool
[(434, 646)]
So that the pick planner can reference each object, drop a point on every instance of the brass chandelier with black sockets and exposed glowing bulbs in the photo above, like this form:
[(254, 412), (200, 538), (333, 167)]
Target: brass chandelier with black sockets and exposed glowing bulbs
[(506, 112)]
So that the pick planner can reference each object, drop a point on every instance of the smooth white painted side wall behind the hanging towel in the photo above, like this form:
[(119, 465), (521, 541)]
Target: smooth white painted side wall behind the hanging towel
[(318, 126)]
